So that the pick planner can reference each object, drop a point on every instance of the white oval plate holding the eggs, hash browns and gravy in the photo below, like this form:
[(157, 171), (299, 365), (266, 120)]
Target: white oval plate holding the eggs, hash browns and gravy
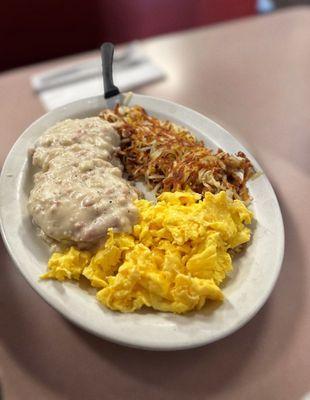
[(255, 272)]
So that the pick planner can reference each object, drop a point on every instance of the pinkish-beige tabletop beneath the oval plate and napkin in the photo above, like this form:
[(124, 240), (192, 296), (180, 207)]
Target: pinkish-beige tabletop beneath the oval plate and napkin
[(253, 77)]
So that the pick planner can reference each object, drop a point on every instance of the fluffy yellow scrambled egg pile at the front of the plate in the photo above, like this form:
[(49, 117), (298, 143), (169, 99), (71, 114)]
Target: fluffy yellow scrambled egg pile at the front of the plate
[(174, 260)]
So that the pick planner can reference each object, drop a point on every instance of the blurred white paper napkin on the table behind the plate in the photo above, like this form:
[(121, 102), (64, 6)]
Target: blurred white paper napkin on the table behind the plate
[(58, 86)]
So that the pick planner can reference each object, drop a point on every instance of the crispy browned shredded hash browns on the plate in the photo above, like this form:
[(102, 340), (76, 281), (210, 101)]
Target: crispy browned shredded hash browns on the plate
[(168, 157)]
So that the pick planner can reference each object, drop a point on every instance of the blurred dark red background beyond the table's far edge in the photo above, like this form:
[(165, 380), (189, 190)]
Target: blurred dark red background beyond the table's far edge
[(36, 30)]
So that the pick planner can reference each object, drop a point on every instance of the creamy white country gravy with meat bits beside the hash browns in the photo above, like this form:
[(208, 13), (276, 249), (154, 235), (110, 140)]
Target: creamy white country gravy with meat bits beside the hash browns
[(79, 191)]
